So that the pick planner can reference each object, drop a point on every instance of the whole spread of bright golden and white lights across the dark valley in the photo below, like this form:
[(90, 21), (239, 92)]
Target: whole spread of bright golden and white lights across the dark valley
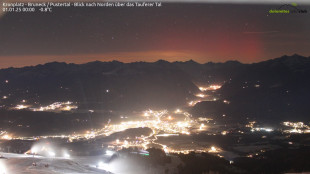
[(163, 127)]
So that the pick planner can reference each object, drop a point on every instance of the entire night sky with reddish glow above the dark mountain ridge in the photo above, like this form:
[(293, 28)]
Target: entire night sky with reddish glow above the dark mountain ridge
[(174, 32)]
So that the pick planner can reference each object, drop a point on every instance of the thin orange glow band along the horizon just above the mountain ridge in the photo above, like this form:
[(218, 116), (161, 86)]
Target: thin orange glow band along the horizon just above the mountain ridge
[(126, 57)]
